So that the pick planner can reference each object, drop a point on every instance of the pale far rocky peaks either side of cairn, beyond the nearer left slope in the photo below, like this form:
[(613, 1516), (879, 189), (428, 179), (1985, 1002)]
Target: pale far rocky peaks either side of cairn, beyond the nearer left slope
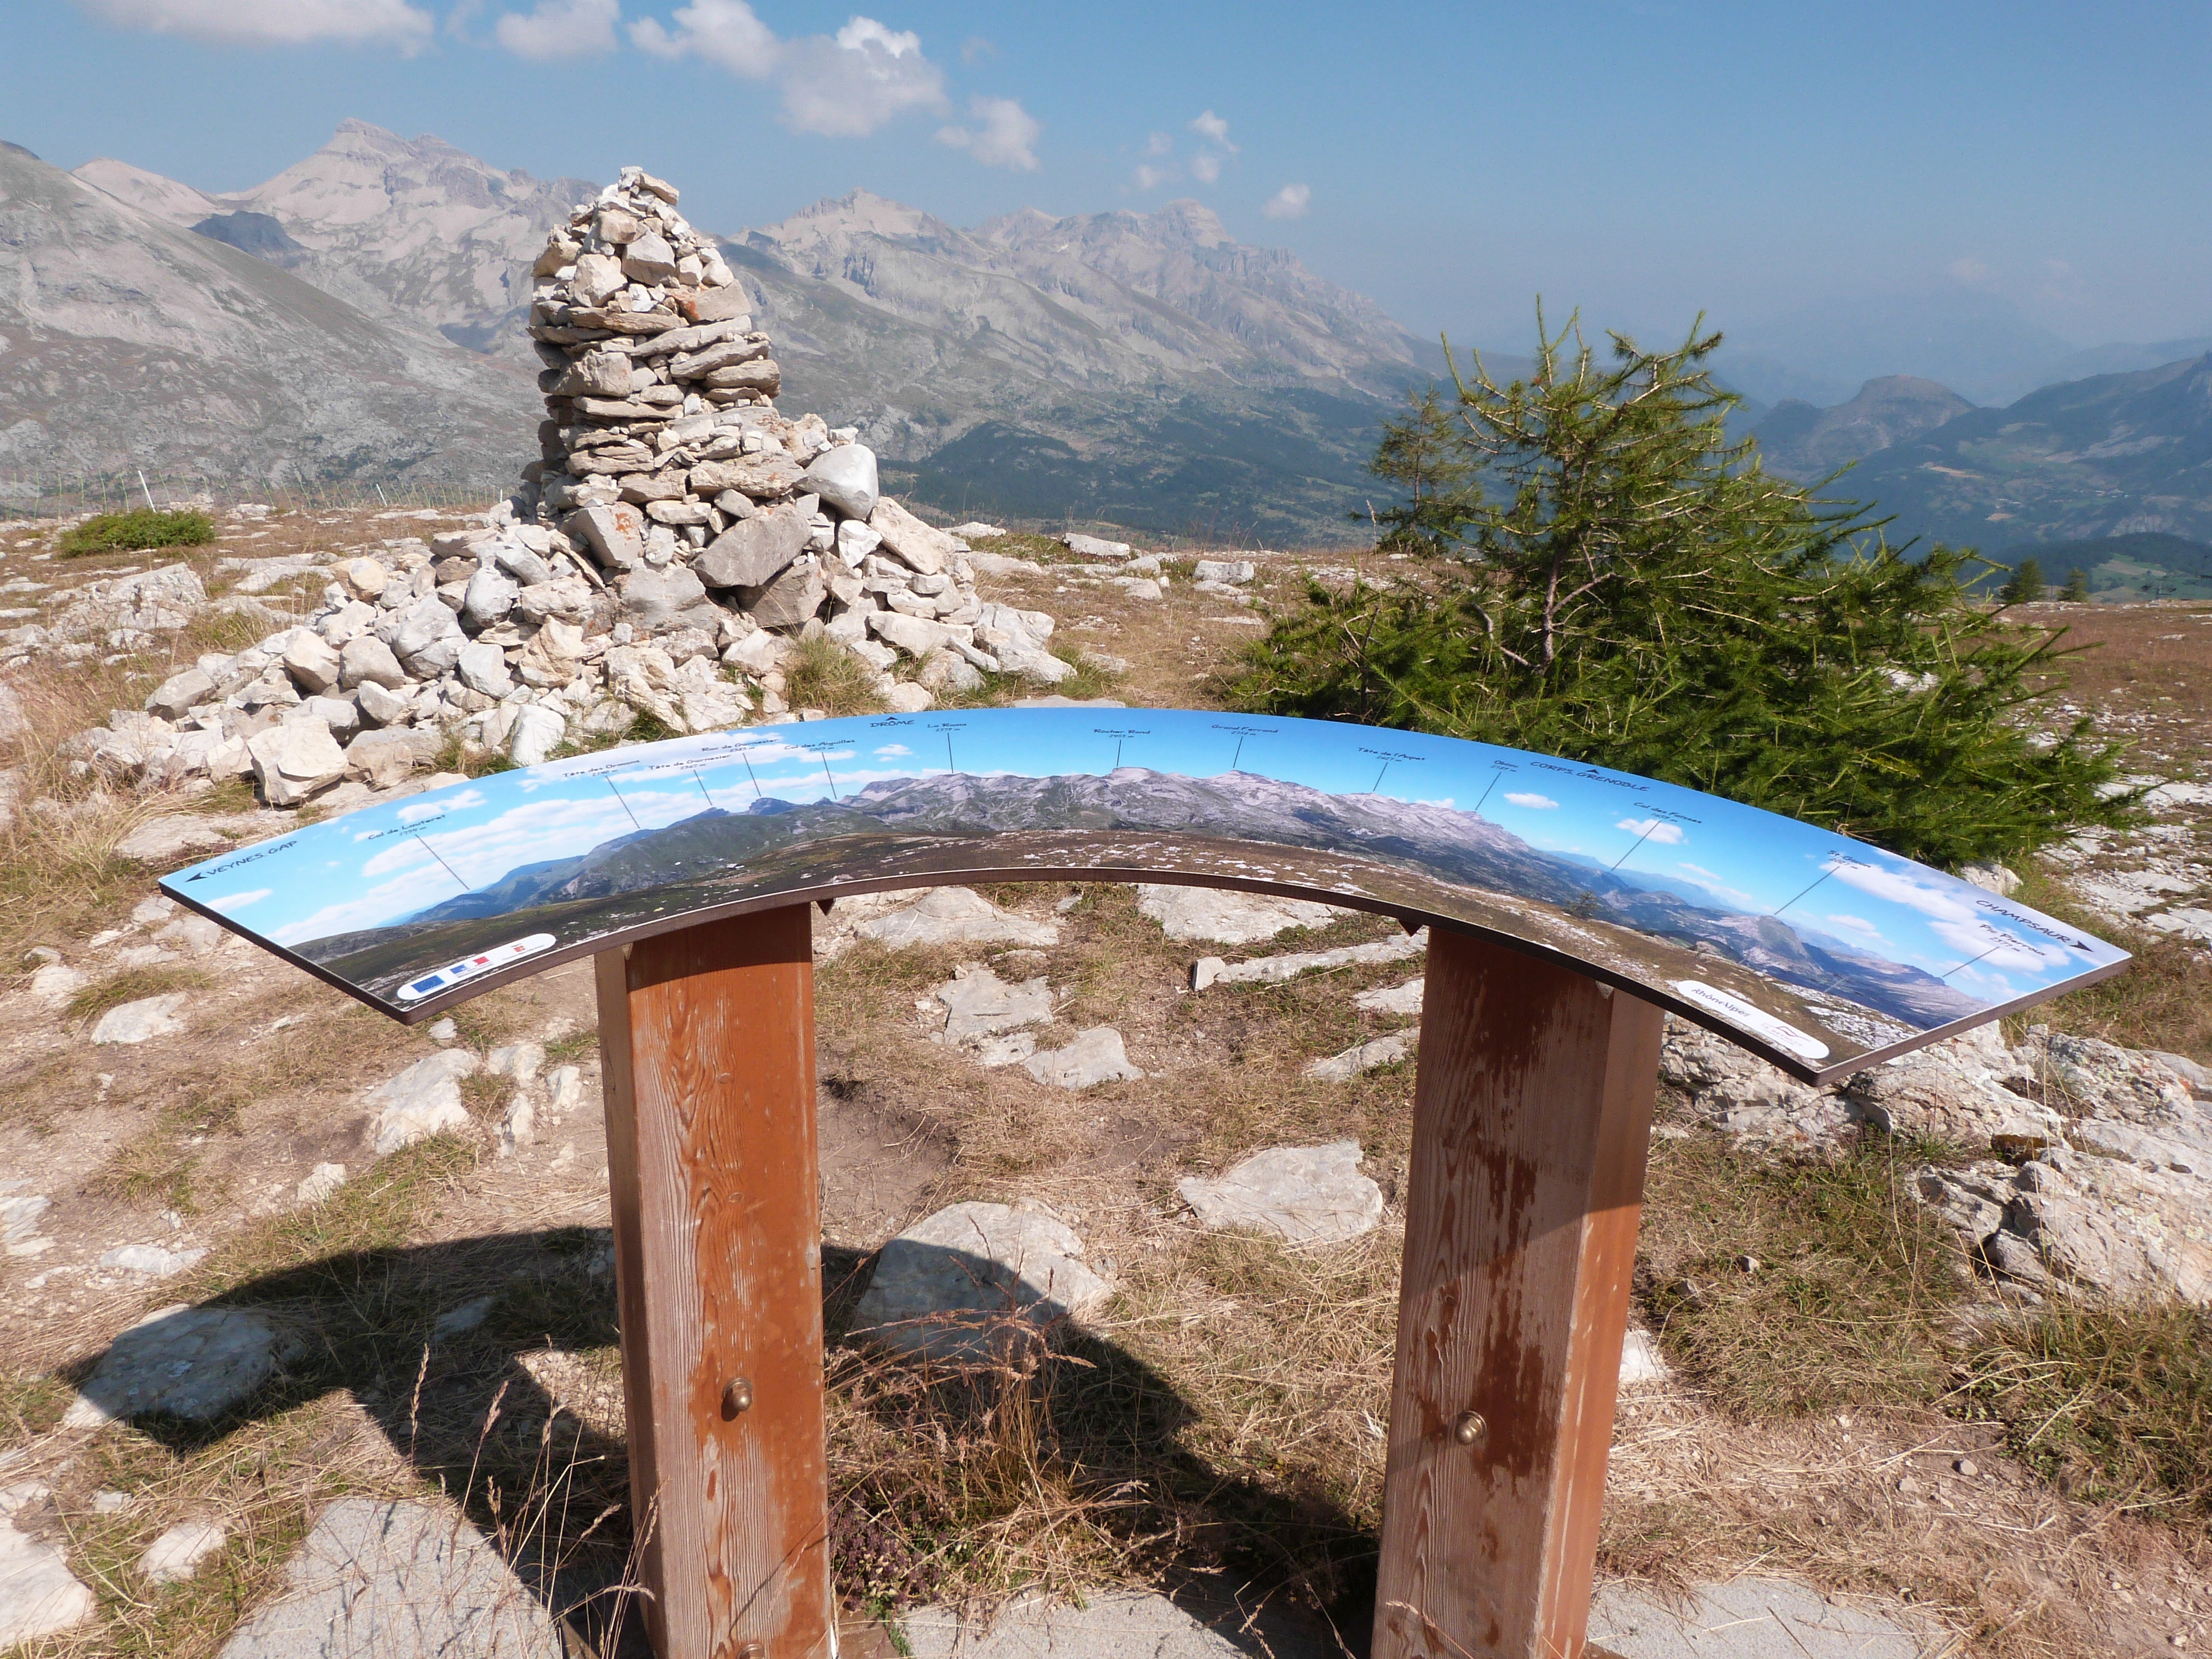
[(1131, 368)]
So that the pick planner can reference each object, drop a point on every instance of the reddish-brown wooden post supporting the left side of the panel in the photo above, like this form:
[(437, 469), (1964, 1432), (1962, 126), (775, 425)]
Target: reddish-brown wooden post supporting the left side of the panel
[(707, 1043)]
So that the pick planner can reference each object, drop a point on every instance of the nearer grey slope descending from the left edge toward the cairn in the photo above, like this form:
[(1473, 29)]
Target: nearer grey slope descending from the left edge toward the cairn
[(132, 342)]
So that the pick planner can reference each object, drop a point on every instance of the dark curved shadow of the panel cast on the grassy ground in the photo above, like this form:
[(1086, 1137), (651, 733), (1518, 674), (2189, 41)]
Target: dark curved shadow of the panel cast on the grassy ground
[(948, 1483)]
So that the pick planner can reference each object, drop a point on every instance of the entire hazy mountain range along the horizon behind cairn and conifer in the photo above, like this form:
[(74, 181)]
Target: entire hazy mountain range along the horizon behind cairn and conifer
[(362, 315)]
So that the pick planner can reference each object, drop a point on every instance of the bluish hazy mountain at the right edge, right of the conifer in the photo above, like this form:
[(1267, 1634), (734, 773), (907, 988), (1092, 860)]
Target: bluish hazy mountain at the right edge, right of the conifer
[(2103, 457)]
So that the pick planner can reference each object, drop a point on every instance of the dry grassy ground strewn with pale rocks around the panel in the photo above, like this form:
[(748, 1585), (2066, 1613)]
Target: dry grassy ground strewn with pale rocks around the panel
[(302, 1295)]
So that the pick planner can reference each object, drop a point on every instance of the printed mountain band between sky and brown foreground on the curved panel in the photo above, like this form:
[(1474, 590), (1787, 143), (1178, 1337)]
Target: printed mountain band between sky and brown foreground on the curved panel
[(1446, 844)]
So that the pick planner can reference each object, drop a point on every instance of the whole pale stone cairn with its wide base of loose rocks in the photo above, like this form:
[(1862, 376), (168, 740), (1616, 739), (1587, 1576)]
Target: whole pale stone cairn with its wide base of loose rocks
[(667, 552)]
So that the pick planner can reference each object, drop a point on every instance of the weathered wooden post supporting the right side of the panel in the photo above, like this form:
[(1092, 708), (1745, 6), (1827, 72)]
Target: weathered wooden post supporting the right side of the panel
[(1532, 1114)]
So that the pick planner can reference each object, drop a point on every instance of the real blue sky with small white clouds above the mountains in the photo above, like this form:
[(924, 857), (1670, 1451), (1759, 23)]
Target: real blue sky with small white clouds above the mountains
[(1454, 160)]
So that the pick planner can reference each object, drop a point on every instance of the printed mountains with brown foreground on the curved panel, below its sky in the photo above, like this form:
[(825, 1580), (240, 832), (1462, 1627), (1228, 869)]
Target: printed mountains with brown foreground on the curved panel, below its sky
[(720, 857)]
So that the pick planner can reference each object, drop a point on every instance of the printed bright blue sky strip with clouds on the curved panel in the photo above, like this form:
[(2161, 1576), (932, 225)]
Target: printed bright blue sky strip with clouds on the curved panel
[(384, 864)]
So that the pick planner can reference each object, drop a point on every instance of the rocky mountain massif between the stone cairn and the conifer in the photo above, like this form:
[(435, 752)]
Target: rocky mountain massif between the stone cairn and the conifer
[(1136, 368)]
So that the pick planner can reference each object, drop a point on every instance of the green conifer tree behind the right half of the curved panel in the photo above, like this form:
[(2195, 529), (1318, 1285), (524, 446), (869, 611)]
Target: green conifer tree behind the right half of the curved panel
[(1629, 587)]
